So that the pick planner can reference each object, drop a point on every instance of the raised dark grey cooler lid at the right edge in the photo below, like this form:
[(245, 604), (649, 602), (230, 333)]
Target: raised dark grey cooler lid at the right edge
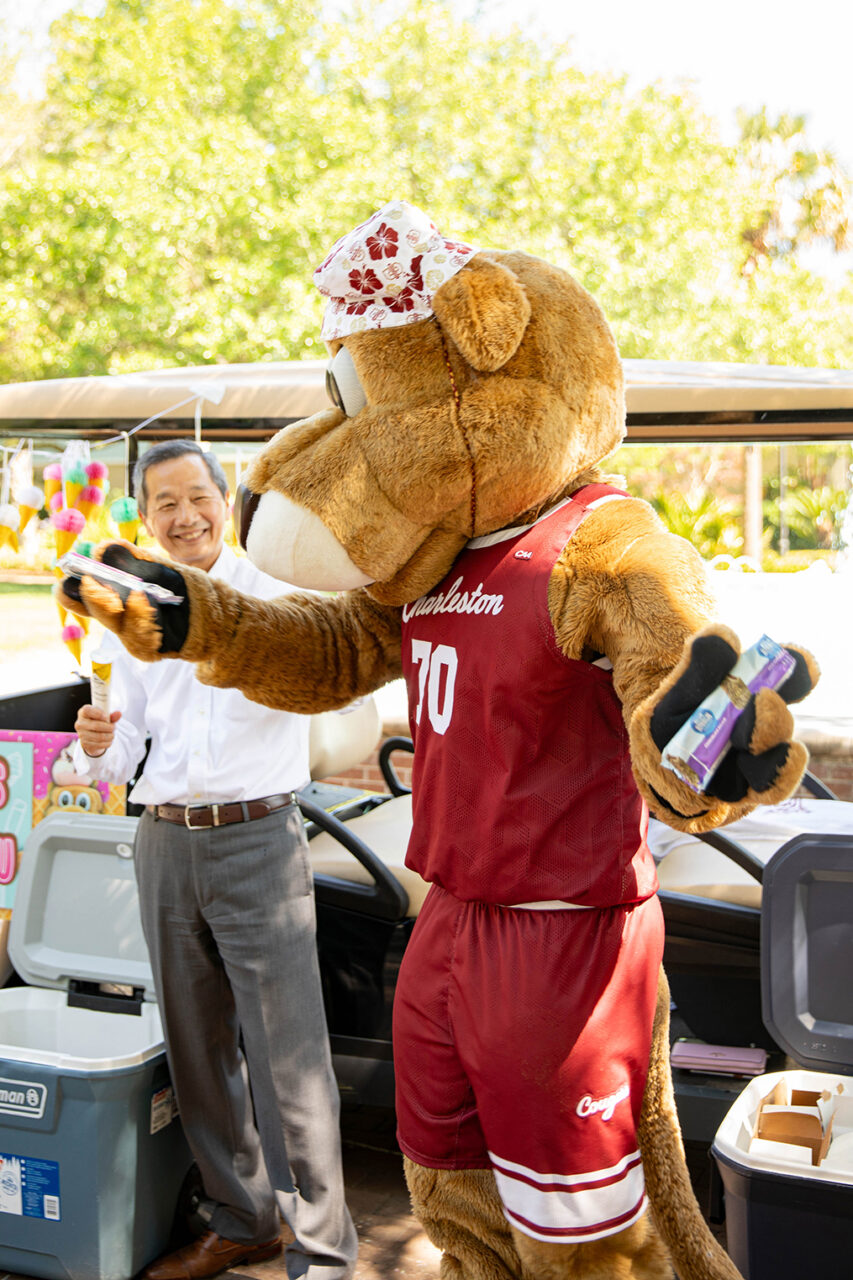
[(808, 950)]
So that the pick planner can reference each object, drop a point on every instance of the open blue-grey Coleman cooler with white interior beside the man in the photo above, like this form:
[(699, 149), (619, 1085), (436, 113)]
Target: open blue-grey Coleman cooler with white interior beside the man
[(93, 1156)]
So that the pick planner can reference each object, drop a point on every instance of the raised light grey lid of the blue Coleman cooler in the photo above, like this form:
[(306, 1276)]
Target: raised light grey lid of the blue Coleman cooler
[(76, 913)]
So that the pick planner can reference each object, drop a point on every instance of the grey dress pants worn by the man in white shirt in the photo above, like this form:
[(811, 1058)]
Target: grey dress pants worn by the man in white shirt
[(229, 918)]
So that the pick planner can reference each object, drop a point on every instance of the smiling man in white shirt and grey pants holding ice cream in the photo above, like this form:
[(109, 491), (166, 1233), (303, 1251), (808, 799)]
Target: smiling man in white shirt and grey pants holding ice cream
[(227, 904)]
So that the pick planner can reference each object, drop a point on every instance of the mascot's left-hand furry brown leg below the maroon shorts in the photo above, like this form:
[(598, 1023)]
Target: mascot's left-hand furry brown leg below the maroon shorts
[(460, 1212)]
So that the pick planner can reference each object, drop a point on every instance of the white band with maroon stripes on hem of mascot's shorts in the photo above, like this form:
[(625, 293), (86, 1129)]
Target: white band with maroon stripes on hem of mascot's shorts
[(569, 1209)]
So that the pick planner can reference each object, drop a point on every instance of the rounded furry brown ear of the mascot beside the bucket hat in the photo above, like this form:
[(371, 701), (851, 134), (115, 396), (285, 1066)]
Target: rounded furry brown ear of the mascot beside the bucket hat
[(485, 310)]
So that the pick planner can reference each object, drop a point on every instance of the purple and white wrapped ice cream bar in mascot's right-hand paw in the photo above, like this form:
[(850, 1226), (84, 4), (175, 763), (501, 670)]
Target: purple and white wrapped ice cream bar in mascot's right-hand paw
[(699, 748)]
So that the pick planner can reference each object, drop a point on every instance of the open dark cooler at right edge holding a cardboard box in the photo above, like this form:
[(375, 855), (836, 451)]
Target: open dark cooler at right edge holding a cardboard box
[(787, 1217)]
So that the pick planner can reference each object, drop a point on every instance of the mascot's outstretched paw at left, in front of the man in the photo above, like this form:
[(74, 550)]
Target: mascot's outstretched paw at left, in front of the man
[(148, 628)]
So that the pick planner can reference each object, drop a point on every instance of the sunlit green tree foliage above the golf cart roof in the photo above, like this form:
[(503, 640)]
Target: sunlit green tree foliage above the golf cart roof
[(194, 159)]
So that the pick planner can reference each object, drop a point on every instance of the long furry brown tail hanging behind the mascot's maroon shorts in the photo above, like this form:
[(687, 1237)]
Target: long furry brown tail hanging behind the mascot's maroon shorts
[(696, 1254)]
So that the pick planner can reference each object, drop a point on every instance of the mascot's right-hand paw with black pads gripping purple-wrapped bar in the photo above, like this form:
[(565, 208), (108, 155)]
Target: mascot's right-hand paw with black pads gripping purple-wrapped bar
[(763, 765)]
